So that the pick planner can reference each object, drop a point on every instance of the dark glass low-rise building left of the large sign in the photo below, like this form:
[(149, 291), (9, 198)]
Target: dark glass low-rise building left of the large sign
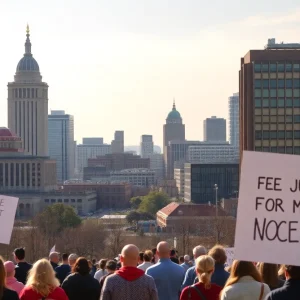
[(200, 181)]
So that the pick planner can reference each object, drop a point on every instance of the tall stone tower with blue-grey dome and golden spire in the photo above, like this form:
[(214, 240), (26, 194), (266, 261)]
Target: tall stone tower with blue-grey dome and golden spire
[(28, 104)]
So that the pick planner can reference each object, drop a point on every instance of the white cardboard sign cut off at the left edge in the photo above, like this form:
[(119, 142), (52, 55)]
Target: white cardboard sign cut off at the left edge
[(8, 207)]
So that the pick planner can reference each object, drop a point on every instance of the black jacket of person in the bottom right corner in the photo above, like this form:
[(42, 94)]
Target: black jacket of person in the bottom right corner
[(289, 291)]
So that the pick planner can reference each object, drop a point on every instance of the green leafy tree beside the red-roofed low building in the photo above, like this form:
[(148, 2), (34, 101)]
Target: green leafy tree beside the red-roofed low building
[(153, 202)]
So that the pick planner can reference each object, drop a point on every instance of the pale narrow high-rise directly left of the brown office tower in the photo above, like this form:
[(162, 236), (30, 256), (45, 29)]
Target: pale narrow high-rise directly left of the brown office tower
[(234, 117)]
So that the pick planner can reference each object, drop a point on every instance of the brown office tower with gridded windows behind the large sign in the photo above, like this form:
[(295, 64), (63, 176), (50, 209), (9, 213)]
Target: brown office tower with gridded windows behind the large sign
[(270, 99)]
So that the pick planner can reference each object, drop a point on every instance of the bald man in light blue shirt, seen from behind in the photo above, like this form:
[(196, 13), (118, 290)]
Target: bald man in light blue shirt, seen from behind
[(167, 275)]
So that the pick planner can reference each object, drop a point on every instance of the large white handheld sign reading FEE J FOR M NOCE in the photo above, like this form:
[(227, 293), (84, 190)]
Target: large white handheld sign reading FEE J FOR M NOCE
[(268, 219)]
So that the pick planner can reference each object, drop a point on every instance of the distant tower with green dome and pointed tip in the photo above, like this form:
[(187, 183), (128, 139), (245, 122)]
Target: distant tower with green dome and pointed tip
[(174, 130)]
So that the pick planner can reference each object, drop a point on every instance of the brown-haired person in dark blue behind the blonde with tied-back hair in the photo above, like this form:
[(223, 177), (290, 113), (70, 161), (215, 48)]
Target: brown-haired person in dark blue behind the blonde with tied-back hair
[(219, 276)]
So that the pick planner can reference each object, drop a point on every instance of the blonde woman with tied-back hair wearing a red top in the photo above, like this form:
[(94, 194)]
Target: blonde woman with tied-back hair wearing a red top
[(205, 265)]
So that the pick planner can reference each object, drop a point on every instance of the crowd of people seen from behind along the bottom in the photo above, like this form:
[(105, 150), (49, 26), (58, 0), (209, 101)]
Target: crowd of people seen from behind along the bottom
[(157, 274)]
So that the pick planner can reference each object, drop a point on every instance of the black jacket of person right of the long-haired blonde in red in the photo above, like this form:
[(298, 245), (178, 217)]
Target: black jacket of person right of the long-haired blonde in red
[(78, 287)]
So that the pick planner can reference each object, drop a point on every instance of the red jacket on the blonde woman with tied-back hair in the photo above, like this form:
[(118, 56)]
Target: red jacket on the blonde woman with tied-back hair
[(211, 294)]
